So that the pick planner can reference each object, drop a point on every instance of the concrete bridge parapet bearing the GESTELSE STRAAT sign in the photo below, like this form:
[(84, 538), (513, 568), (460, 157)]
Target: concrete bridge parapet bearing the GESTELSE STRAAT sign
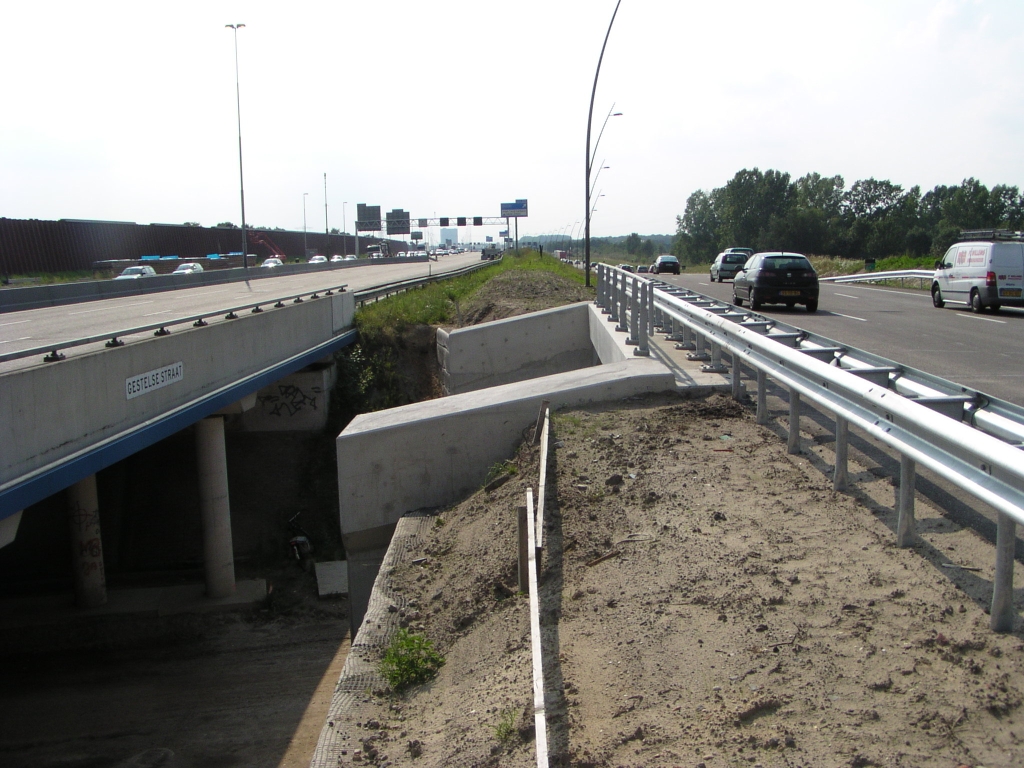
[(53, 412)]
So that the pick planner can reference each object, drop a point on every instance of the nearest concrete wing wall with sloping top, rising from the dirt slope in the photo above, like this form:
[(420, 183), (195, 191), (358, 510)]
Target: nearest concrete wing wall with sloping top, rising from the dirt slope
[(434, 453)]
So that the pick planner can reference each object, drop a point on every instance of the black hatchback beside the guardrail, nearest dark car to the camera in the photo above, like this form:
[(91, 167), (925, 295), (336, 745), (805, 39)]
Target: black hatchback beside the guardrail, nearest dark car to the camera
[(777, 279)]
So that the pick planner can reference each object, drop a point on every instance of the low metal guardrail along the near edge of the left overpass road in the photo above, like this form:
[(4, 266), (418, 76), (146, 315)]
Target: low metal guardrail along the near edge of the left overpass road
[(53, 353)]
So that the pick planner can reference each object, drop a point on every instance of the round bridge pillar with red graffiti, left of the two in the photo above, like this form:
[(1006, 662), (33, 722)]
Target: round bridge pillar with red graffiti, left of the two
[(88, 546)]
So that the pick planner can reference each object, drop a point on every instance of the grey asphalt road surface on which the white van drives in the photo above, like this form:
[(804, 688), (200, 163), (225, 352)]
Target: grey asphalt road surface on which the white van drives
[(983, 352)]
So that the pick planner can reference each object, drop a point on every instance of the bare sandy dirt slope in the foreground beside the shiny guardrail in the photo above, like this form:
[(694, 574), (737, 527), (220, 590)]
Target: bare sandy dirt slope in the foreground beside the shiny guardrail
[(744, 614)]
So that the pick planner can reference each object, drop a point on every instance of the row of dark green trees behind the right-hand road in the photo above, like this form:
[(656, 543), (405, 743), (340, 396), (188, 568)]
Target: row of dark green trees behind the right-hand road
[(820, 216)]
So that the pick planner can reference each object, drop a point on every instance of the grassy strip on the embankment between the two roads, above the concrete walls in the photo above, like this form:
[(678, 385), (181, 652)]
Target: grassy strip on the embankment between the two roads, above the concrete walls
[(438, 304)]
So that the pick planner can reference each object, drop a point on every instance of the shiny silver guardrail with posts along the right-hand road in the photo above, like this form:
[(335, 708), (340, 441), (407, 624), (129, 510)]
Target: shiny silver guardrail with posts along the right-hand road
[(970, 440)]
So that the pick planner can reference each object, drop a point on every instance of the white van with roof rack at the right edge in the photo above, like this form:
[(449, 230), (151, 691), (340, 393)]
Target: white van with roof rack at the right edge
[(983, 275)]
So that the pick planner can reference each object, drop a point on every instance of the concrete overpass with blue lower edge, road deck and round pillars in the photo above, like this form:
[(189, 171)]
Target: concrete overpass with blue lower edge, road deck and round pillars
[(65, 420)]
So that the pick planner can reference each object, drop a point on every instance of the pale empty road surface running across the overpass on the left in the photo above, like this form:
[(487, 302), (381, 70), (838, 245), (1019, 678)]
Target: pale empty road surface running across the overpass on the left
[(34, 328)]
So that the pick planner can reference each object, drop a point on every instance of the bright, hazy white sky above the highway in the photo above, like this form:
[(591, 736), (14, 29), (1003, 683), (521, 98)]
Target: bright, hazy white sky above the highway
[(127, 111)]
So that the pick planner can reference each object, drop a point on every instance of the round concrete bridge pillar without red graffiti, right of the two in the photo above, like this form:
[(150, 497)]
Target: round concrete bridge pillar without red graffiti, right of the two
[(219, 554)]
